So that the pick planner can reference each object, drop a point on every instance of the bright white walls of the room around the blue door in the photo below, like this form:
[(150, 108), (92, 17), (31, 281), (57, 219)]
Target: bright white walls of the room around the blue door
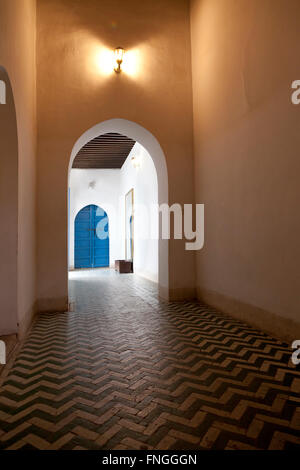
[(107, 189)]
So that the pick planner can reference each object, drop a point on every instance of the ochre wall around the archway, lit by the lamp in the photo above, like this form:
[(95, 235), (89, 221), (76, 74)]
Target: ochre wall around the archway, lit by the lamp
[(73, 96)]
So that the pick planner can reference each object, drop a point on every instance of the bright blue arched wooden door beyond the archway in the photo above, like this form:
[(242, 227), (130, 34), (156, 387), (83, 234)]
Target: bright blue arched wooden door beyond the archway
[(91, 238)]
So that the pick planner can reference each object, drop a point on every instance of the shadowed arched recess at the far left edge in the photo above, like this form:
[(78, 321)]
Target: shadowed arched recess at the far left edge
[(8, 208)]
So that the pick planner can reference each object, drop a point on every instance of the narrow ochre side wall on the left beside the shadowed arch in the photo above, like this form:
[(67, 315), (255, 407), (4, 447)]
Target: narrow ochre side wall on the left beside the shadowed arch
[(17, 56)]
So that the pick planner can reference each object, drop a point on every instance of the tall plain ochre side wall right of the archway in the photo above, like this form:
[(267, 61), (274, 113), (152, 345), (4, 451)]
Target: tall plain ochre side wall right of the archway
[(247, 157)]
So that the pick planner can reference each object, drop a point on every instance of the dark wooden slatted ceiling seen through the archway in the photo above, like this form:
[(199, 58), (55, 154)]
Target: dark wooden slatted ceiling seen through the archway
[(106, 151)]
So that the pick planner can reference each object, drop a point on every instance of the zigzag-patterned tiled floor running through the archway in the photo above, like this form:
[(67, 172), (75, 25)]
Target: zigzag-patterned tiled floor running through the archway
[(127, 371)]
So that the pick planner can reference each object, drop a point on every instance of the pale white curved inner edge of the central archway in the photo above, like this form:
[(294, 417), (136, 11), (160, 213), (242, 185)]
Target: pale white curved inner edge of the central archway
[(150, 143)]
